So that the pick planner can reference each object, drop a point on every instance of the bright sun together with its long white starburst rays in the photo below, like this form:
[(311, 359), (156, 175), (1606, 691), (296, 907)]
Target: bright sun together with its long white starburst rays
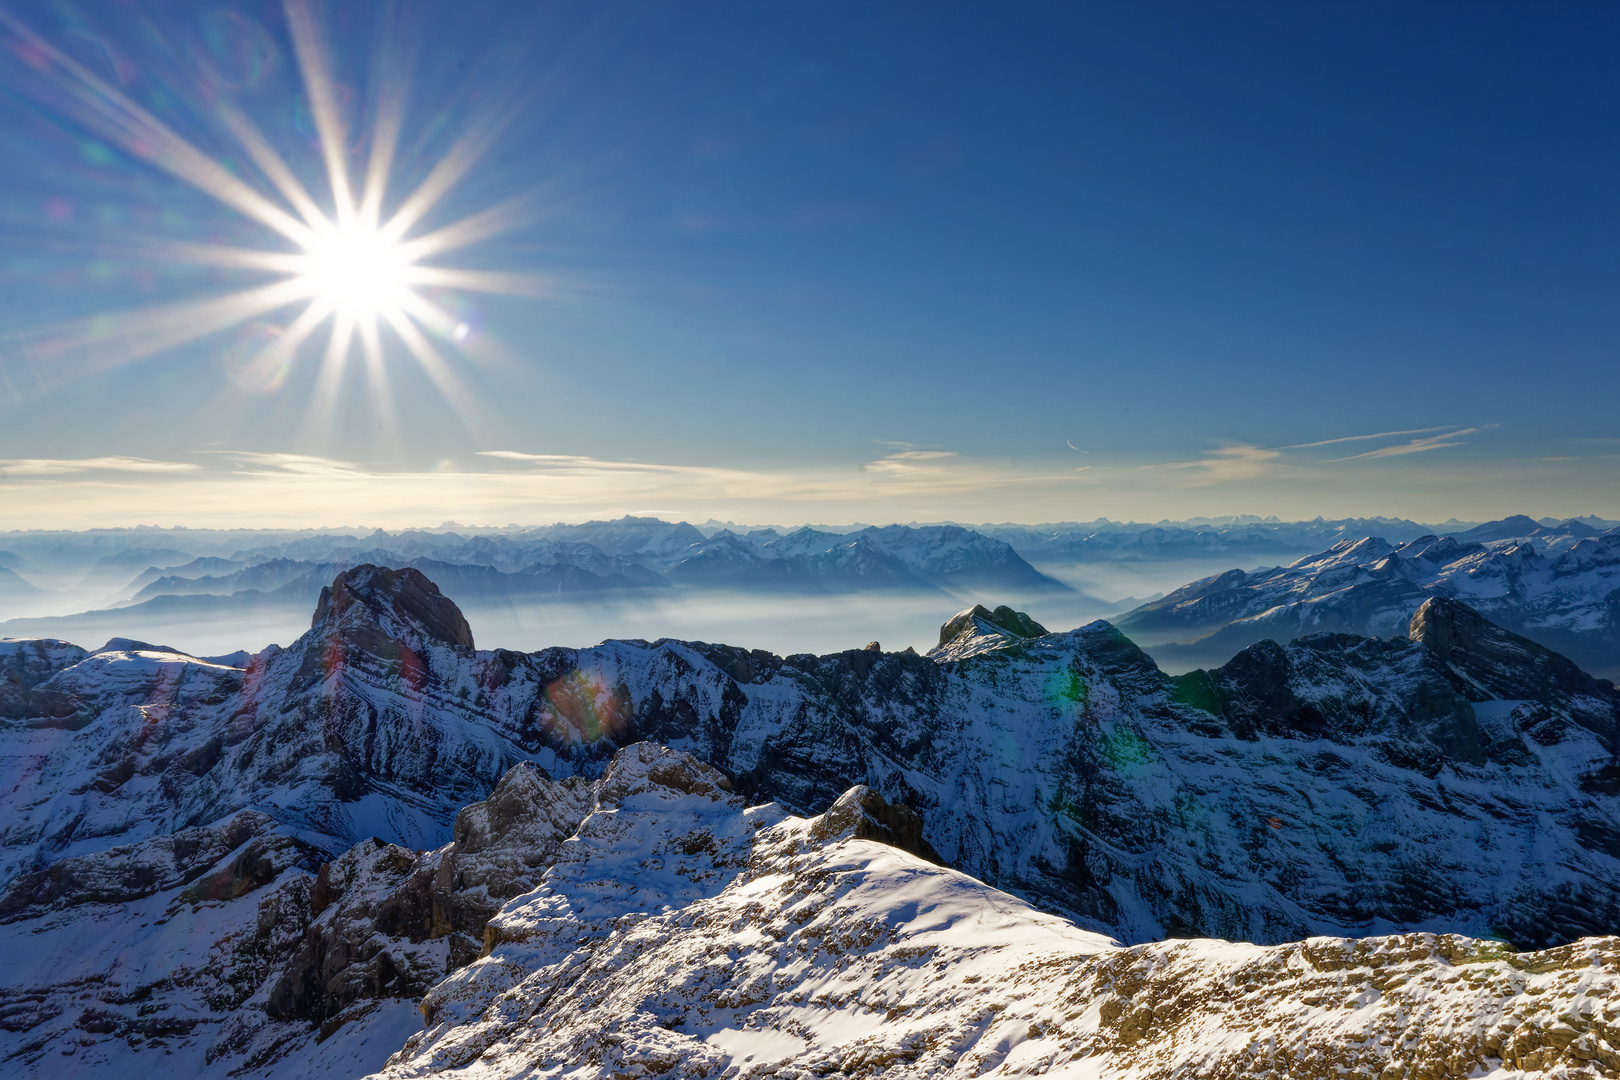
[(352, 270)]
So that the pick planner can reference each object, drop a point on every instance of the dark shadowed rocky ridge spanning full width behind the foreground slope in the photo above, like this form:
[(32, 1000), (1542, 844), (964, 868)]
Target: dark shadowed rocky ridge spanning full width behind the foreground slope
[(1332, 786)]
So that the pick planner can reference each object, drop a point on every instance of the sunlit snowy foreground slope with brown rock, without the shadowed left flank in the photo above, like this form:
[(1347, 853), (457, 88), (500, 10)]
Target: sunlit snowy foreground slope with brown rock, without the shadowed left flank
[(681, 935)]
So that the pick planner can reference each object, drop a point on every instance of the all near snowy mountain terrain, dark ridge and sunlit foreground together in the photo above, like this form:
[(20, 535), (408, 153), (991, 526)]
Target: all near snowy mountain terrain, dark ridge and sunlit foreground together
[(194, 883)]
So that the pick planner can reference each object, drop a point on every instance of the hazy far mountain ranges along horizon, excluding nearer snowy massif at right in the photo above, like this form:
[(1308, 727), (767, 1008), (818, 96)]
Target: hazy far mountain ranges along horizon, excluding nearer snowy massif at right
[(46, 574)]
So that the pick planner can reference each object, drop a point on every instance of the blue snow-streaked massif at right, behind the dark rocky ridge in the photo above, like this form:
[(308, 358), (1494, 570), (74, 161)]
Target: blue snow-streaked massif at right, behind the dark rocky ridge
[(1558, 589)]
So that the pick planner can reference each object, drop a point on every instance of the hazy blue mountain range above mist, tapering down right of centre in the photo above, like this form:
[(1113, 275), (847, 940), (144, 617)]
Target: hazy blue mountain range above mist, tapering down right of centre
[(563, 561)]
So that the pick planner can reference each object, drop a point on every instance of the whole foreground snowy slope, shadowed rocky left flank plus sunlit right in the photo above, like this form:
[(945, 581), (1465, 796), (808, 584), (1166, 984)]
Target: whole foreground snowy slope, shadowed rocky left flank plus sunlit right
[(652, 924)]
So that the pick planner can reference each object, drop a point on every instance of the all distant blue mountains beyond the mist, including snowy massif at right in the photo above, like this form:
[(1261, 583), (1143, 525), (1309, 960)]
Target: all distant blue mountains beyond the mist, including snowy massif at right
[(1553, 582)]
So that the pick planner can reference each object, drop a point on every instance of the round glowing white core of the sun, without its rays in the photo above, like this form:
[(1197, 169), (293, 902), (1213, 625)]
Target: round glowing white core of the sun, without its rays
[(357, 271)]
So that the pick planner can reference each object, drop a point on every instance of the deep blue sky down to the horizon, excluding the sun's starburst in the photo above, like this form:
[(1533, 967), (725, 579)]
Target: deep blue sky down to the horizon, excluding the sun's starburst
[(853, 263)]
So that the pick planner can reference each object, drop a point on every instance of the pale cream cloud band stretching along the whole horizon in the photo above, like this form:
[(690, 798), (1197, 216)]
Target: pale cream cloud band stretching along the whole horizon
[(1397, 477)]
